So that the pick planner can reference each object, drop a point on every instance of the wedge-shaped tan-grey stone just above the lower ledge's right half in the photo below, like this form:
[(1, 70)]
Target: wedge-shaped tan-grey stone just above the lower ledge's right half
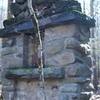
[(63, 58)]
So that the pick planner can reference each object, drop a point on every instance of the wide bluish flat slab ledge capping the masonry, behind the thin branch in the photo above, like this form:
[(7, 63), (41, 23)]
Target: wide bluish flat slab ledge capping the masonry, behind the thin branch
[(26, 25)]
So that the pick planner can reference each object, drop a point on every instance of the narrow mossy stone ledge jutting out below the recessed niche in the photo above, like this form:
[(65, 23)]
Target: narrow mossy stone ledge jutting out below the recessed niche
[(33, 73)]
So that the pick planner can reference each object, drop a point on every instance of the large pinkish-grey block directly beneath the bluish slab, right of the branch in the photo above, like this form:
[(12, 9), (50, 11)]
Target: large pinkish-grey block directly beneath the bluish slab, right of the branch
[(64, 31)]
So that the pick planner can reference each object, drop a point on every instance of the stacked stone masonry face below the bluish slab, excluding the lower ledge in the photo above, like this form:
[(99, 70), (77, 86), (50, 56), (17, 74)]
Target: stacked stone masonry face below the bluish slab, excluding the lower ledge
[(61, 49)]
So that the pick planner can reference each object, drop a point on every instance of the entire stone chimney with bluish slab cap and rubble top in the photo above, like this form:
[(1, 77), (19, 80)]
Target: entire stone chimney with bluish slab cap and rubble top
[(65, 33)]
